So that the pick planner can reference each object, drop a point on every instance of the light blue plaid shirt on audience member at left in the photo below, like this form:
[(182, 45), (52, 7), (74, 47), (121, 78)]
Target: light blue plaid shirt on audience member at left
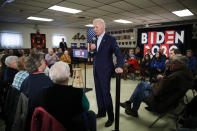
[(19, 78)]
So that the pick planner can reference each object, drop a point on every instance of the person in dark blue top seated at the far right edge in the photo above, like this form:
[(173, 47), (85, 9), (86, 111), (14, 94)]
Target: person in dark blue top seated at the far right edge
[(191, 61)]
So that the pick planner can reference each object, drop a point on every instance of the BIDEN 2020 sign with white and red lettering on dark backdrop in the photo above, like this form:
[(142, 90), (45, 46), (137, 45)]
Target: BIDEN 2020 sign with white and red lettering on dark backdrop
[(165, 37)]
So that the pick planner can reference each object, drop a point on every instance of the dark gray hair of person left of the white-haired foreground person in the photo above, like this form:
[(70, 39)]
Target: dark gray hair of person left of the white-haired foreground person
[(33, 62)]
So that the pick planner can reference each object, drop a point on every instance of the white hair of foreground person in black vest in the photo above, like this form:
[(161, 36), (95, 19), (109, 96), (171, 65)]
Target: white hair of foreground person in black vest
[(59, 72)]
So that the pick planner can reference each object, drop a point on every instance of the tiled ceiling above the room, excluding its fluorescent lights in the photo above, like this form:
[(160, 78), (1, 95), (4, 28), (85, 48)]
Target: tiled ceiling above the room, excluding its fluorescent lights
[(140, 12)]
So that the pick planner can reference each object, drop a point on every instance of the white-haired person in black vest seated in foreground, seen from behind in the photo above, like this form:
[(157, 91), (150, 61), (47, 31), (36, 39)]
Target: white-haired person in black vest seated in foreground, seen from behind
[(67, 104)]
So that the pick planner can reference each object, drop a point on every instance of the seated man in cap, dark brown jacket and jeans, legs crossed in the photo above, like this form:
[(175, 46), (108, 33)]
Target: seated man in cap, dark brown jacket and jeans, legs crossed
[(165, 93)]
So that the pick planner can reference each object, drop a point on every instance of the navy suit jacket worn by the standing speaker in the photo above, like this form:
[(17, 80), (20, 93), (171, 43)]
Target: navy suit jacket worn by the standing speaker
[(103, 60)]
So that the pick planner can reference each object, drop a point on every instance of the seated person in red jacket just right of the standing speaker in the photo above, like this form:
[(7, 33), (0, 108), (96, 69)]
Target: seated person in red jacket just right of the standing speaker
[(133, 62)]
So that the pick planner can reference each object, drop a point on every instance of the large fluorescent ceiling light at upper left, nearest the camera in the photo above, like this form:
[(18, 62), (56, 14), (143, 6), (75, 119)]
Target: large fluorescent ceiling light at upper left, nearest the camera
[(64, 9)]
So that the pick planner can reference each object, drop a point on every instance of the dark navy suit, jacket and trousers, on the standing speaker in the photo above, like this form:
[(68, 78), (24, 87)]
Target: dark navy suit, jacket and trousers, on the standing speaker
[(103, 68)]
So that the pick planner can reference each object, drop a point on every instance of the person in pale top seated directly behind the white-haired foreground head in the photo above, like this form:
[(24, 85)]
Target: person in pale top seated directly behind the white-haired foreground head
[(51, 57)]
